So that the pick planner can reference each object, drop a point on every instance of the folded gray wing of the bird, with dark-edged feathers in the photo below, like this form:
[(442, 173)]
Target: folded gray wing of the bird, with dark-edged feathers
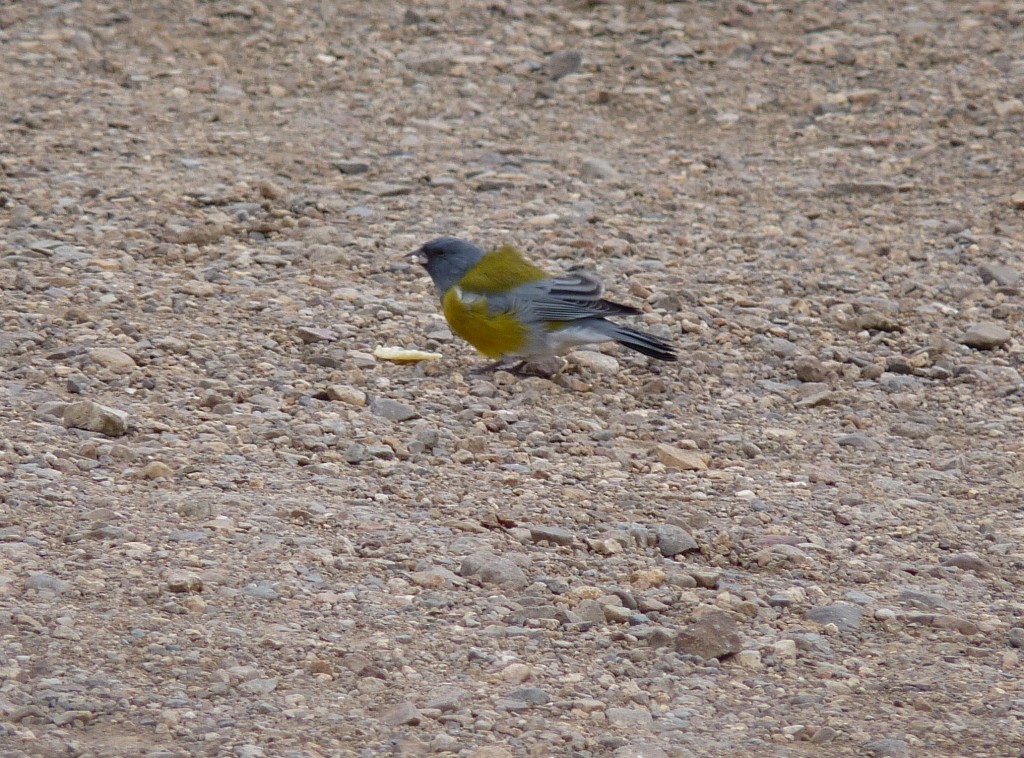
[(570, 298)]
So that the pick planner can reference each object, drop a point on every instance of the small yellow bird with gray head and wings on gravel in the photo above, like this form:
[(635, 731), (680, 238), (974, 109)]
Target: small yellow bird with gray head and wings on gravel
[(509, 310)]
